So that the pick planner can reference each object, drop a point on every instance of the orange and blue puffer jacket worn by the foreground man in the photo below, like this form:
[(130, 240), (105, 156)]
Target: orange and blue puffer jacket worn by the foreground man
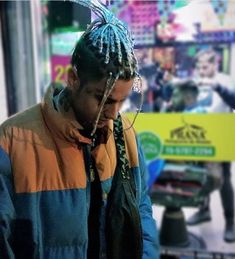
[(44, 188)]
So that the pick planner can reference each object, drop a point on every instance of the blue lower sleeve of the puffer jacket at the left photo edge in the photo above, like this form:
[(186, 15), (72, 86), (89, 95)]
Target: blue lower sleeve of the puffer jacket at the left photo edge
[(6, 206)]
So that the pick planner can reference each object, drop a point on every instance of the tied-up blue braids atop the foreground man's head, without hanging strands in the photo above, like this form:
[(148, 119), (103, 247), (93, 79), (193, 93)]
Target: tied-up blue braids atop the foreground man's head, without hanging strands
[(109, 41)]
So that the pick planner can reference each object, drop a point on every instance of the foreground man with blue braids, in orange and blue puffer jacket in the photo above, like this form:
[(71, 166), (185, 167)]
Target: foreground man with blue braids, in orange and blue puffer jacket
[(71, 169)]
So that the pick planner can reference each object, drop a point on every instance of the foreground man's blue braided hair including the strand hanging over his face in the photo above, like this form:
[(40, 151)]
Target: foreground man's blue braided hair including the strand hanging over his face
[(105, 50)]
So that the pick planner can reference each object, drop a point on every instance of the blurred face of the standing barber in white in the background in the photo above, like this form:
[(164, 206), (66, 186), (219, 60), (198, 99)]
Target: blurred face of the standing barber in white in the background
[(205, 67)]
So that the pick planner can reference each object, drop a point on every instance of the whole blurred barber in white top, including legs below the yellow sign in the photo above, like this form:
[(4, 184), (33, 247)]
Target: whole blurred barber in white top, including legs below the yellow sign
[(216, 94)]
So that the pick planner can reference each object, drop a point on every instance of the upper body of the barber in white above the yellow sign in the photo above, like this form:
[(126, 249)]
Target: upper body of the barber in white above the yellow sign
[(215, 86)]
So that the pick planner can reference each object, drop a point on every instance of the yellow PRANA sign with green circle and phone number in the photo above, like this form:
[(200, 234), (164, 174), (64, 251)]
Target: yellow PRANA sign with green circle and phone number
[(183, 136)]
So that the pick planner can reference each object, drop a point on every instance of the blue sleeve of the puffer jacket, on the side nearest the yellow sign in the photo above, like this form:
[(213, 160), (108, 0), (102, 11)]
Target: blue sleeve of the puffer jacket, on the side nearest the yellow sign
[(151, 248)]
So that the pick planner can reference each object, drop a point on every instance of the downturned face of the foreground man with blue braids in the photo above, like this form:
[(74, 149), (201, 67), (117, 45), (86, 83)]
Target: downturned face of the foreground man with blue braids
[(86, 100)]
